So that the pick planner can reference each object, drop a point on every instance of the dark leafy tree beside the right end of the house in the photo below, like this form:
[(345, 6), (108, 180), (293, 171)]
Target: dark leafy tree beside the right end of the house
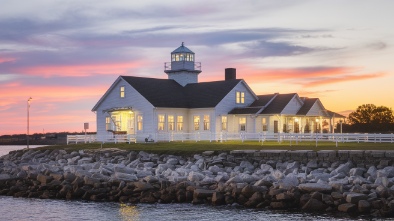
[(371, 114)]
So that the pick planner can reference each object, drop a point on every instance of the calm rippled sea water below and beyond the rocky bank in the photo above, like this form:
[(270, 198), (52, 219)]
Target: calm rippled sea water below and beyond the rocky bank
[(17, 209)]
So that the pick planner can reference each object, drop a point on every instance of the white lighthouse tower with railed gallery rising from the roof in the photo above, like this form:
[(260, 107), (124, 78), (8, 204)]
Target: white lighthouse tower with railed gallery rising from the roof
[(182, 68)]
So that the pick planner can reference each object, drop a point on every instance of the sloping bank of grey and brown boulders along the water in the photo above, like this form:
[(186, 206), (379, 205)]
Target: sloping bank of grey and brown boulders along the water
[(207, 178)]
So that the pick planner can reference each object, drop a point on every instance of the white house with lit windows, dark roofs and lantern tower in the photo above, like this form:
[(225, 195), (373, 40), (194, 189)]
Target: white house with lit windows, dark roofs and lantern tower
[(180, 104)]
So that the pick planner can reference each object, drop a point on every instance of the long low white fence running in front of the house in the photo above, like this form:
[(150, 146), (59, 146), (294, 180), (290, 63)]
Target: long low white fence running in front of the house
[(222, 137)]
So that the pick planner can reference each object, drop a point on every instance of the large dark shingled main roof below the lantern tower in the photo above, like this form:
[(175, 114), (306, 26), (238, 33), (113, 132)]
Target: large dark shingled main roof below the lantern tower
[(168, 93)]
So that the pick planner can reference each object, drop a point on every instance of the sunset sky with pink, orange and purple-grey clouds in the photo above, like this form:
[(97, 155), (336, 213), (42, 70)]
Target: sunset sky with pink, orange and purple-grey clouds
[(66, 54)]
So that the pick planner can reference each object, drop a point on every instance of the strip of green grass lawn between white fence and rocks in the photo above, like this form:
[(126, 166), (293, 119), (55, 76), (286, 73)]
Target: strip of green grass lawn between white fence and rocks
[(186, 148)]
